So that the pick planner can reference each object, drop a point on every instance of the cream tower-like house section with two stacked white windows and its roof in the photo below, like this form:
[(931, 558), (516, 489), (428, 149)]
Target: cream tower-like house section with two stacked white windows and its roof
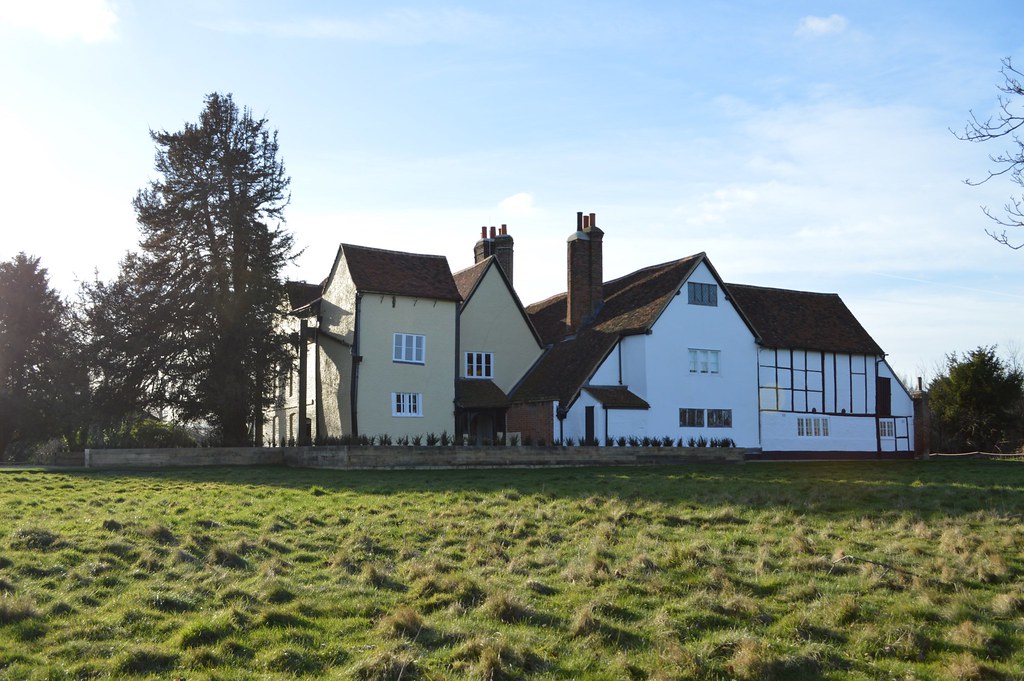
[(386, 345)]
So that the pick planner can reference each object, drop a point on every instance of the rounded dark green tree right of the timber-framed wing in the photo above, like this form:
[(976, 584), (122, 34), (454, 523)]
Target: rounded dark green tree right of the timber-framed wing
[(976, 404)]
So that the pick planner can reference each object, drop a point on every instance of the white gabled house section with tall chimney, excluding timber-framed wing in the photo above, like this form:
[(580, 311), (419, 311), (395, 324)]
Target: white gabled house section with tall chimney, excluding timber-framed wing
[(660, 353)]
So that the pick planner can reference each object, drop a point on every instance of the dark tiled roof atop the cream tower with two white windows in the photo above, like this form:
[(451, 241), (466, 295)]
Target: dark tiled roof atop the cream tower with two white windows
[(377, 271)]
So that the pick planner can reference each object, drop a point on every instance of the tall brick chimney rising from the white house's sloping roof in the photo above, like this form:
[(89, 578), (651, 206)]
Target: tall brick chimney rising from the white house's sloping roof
[(585, 269)]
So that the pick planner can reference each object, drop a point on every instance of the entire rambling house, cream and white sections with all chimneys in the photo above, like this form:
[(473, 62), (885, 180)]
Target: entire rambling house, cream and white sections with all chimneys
[(402, 347)]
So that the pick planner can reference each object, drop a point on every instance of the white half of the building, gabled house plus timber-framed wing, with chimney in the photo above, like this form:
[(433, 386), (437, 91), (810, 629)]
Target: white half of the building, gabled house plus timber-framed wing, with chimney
[(673, 352)]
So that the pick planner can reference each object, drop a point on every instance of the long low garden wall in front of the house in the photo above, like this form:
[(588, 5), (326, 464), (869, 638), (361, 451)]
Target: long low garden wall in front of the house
[(356, 458)]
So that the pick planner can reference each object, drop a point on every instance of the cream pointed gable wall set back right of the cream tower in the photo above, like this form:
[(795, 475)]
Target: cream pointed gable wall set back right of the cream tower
[(492, 323)]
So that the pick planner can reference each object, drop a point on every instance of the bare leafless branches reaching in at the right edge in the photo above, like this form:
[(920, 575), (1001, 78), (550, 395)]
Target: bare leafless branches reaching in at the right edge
[(1004, 125)]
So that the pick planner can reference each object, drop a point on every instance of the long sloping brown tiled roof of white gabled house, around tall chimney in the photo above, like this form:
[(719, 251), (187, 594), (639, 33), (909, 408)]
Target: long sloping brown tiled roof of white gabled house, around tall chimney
[(632, 305)]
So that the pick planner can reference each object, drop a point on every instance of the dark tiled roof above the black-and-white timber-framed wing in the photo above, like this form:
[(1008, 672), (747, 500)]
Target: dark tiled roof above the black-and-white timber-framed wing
[(802, 320)]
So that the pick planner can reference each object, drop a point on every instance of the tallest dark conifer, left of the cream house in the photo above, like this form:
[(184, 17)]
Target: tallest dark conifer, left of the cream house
[(190, 322)]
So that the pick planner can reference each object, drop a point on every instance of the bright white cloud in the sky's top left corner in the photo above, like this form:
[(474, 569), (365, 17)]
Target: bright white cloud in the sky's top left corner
[(89, 21)]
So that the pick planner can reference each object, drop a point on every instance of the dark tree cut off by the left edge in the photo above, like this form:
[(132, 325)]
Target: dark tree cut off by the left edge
[(42, 388)]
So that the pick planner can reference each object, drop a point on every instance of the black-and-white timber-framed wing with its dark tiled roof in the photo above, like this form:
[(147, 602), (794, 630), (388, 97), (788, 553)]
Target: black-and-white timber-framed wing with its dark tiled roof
[(824, 384)]
